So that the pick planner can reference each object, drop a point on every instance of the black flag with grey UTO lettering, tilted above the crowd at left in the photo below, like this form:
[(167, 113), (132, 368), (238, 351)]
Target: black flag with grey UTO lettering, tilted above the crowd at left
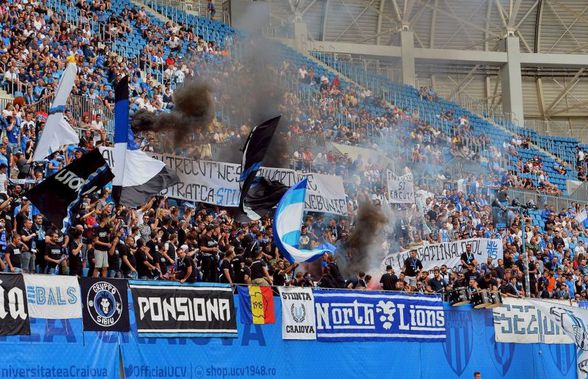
[(58, 195)]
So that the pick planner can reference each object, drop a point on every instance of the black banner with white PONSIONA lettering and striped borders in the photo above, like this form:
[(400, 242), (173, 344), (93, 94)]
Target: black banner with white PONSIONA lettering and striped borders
[(165, 309)]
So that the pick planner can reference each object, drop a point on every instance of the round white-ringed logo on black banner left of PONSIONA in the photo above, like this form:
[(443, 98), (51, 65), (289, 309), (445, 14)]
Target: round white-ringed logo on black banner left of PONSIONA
[(104, 304)]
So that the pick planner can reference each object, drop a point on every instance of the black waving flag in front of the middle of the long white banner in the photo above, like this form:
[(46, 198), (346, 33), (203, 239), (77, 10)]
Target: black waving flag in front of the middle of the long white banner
[(258, 195)]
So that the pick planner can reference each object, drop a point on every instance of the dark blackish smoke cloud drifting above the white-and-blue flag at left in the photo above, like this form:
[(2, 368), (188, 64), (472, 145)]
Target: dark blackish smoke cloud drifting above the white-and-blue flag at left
[(192, 113)]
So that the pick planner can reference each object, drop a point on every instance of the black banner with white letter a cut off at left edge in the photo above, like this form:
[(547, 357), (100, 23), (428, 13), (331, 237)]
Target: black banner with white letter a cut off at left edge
[(14, 314)]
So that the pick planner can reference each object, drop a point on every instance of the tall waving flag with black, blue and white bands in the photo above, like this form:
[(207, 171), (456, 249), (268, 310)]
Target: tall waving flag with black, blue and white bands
[(137, 176)]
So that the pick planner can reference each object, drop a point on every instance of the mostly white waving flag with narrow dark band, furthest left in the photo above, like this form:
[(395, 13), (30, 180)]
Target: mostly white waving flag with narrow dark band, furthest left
[(58, 132)]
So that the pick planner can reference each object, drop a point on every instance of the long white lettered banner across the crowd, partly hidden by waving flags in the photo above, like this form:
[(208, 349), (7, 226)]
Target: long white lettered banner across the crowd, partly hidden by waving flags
[(217, 183)]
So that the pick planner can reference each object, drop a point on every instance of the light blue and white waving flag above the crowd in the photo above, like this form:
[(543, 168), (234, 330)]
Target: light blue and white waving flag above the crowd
[(287, 224)]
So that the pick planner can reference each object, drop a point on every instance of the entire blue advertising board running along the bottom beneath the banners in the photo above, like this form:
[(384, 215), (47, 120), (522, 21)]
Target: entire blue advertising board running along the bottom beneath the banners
[(57, 346)]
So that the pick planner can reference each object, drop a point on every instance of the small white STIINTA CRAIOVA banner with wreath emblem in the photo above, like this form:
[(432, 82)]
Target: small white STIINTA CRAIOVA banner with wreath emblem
[(298, 315)]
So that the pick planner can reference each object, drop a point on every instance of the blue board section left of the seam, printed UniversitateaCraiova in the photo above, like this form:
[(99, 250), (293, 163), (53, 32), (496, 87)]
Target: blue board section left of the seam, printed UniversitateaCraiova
[(58, 349)]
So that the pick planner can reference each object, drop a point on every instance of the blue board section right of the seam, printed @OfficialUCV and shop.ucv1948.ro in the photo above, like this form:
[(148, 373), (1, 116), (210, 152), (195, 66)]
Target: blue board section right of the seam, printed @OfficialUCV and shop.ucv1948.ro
[(259, 351)]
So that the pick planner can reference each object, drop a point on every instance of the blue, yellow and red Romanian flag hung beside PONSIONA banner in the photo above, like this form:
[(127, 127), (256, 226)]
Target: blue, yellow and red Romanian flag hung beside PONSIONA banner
[(257, 305)]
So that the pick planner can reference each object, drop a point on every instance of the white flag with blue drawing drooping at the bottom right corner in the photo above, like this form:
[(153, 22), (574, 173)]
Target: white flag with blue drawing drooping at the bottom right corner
[(574, 323)]
